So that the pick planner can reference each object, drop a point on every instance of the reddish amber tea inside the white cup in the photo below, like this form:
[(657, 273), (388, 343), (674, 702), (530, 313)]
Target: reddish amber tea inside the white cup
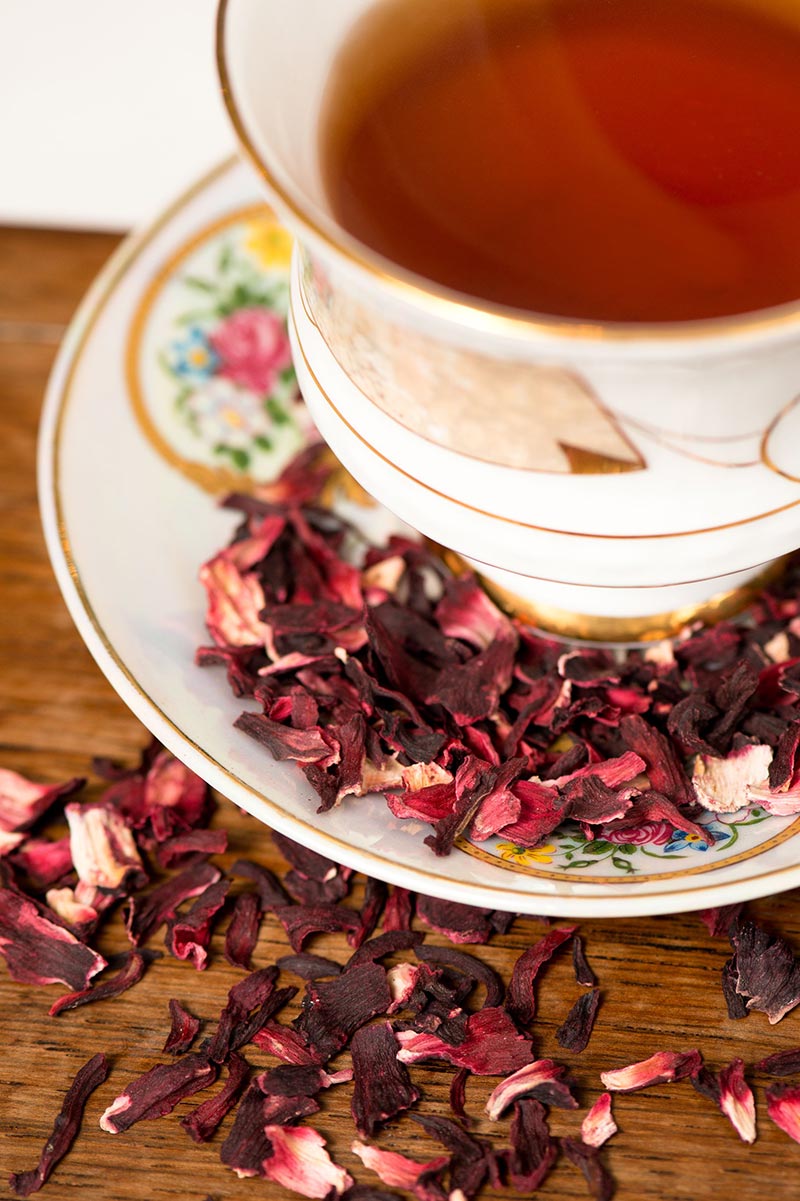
[(618, 160)]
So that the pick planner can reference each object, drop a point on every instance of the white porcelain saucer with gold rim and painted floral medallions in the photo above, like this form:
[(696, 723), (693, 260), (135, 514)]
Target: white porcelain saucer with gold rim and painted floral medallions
[(174, 386)]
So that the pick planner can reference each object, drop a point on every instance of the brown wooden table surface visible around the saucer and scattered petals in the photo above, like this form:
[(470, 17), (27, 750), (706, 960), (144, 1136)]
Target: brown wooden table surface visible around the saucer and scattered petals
[(660, 977)]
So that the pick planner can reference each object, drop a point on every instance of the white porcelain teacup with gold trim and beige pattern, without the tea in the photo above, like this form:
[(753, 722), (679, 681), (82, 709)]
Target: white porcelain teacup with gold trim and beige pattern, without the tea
[(610, 481)]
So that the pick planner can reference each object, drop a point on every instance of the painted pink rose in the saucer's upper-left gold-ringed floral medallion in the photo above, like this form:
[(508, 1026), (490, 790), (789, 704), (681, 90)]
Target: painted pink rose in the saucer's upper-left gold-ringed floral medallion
[(253, 348)]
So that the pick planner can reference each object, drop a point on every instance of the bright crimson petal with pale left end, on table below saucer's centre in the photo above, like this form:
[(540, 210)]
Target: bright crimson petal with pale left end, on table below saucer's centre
[(492, 1045)]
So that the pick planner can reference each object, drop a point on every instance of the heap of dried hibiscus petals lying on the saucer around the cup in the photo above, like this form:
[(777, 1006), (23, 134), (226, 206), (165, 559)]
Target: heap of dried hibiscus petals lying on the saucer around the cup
[(378, 670)]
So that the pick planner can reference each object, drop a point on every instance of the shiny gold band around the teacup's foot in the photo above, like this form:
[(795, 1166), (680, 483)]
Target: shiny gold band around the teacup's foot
[(595, 629)]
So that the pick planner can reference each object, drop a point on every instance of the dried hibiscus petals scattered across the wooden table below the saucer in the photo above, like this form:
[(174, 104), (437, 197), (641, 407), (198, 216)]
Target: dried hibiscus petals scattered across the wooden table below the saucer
[(153, 822)]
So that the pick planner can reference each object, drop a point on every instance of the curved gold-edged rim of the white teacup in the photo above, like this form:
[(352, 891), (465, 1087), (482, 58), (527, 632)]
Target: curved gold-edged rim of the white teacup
[(445, 303)]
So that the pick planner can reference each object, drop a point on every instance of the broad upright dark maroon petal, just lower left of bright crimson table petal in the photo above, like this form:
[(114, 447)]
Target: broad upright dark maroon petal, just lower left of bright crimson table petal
[(383, 1086)]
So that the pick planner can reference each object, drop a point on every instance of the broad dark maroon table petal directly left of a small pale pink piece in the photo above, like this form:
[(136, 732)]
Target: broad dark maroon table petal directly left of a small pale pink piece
[(335, 1009)]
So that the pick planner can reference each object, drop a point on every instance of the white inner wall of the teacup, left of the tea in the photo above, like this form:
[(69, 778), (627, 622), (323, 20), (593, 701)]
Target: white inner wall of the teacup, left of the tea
[(280, 53)]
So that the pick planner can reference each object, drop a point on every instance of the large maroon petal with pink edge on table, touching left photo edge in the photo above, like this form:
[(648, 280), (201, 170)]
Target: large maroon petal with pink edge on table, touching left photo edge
[(40, 952)]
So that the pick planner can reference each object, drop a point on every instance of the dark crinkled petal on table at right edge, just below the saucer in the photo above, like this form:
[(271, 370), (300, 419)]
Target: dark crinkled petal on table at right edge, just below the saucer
[(768, 972)]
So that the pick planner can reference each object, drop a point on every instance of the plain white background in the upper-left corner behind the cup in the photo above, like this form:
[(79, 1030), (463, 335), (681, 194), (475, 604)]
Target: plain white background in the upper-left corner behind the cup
[(108, 109)]
